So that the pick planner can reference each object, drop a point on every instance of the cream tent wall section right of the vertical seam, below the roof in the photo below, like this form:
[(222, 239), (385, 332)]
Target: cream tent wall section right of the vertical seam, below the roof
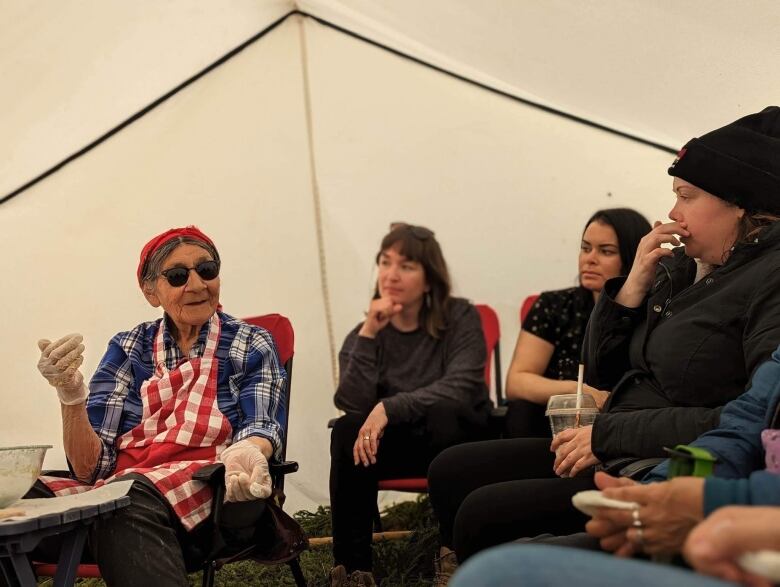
[(507, 189)]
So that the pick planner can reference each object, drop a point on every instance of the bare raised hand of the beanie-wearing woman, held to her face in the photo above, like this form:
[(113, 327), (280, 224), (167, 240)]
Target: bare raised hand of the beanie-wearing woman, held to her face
[(649, 252)]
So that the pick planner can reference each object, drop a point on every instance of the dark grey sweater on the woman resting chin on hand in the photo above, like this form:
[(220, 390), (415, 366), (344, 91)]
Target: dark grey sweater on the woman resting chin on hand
[(409, 371)]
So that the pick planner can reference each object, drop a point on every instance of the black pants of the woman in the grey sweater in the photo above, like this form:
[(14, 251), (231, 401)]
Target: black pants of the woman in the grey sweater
[(404, 451)]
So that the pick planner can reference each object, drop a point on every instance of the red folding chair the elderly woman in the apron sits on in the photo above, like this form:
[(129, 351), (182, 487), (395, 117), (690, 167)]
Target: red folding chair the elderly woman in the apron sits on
[(281, 329)]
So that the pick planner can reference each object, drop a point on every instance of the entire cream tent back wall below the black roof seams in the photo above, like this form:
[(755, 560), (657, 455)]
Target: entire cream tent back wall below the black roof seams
[(506, 188)]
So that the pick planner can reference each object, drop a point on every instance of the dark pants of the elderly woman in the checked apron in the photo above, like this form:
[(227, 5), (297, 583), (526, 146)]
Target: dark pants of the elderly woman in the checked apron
[(145, 544)]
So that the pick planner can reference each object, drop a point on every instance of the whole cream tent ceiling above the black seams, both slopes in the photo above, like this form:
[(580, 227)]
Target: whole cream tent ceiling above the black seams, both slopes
[(662, 70)]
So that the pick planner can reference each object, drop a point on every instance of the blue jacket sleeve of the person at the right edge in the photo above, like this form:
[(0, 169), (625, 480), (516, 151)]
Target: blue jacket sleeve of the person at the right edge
[(736, 442)]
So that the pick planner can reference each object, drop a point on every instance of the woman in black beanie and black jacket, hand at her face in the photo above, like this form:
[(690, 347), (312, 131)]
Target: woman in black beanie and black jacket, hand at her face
[(674, 341)]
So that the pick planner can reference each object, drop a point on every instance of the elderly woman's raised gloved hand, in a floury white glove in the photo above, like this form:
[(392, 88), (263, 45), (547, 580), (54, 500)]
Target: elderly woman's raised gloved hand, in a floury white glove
[(59, 364)]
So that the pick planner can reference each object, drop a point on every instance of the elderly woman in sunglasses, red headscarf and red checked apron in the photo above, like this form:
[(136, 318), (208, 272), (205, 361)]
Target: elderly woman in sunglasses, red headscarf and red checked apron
[(170, 396)]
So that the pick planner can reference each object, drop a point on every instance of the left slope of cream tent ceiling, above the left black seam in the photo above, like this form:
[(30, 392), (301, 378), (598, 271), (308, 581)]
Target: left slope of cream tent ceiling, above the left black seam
[(76, 69)]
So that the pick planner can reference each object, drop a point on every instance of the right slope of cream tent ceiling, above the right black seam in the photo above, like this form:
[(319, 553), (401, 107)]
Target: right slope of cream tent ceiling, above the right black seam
[(665, 70)]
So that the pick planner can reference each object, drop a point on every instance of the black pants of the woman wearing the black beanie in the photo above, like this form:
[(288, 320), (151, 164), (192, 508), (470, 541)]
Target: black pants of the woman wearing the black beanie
[(492, 492)]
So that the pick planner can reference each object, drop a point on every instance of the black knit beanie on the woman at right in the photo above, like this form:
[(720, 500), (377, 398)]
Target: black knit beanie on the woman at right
[(739, 163)]
